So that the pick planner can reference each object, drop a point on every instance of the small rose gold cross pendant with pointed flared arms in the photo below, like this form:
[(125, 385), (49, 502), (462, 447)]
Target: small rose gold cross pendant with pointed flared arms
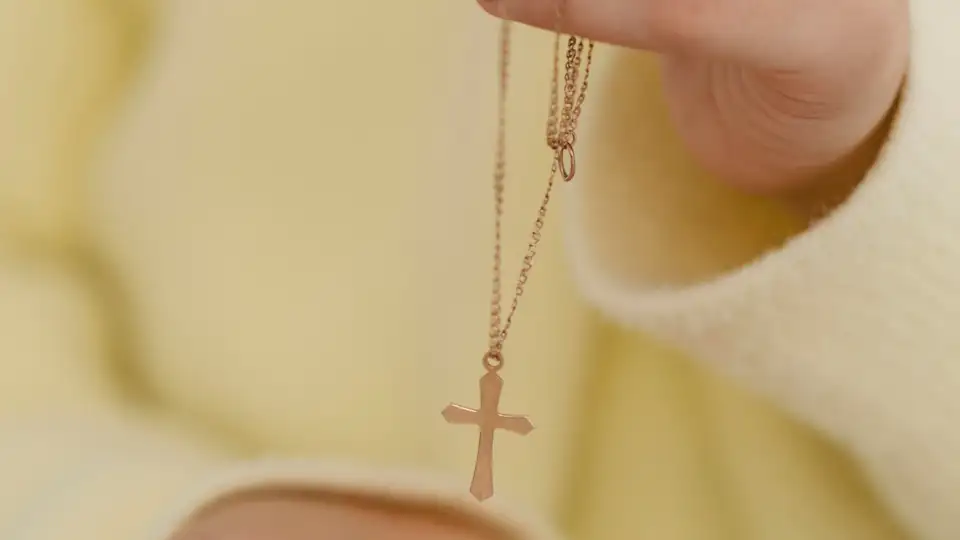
[(488, 419)]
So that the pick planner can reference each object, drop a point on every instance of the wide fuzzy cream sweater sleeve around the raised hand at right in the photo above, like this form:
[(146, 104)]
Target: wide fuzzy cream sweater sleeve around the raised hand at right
[(850, 324)]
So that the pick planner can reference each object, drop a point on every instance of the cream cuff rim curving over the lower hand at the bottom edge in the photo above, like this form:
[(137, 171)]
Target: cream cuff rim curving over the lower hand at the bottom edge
[(414, 488)]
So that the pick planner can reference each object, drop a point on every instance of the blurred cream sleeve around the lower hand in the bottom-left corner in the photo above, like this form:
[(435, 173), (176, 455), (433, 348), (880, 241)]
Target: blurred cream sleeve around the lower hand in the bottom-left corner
[(114, 475)]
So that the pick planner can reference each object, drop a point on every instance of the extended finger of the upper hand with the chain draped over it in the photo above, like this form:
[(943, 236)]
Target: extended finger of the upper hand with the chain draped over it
[(775, 34)]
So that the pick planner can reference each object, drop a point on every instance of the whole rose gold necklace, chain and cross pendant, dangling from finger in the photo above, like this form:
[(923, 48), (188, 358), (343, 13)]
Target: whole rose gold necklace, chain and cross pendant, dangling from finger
[(561, 138)]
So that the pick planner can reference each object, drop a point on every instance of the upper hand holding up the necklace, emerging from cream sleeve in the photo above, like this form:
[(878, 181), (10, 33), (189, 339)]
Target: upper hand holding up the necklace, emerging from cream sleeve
[(767, 95)]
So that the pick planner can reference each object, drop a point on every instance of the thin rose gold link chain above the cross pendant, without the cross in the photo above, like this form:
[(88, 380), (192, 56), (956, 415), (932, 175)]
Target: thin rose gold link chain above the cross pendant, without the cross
[(560, 137)]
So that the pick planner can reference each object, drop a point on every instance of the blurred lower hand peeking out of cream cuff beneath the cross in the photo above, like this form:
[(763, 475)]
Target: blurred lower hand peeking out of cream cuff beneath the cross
[(292, 515)]
